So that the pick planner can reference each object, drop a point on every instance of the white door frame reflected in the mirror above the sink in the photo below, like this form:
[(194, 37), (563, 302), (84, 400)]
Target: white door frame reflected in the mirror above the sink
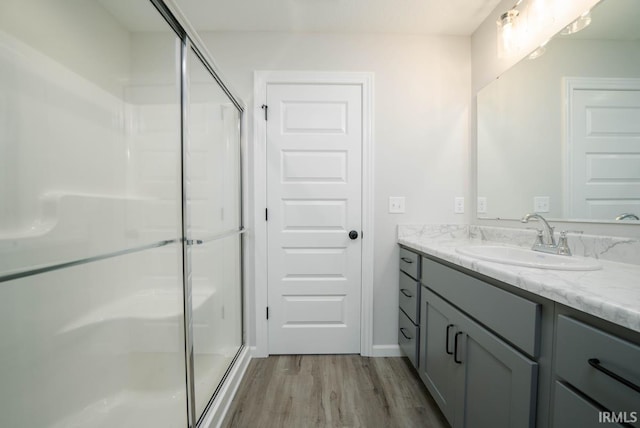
[(572, 84)]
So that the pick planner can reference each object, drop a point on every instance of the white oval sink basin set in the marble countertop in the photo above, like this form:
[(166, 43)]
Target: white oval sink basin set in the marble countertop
[(529, 258)]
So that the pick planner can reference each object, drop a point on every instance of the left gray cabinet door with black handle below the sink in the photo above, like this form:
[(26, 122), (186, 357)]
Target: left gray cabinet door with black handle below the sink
[(437, 368)]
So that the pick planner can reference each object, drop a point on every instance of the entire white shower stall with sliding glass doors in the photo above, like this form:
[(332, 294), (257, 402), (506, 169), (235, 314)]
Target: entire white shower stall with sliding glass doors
[(120, 217)]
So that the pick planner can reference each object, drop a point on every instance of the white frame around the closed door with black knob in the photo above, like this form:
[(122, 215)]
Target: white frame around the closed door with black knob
[(260, 82)]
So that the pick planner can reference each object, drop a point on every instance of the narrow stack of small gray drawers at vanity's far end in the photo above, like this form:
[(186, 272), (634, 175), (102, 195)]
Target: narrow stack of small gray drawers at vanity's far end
[(409, 305)]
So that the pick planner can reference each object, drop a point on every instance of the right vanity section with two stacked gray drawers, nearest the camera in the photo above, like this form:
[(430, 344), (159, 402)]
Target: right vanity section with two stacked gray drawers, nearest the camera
[(597, 376)]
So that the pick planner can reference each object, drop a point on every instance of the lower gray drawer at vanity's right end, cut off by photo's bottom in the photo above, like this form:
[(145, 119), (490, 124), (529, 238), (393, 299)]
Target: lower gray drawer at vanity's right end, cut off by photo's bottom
[(570, 410)]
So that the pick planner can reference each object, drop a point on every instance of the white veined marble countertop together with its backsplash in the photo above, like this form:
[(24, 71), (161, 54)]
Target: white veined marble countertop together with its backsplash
[(611, 293)]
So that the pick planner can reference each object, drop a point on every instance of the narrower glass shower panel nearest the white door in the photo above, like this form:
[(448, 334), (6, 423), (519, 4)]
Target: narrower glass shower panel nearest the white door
[(213, 227)]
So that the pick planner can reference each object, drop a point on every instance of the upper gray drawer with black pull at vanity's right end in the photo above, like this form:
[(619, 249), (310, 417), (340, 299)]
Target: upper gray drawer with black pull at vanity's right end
[(578, 345)]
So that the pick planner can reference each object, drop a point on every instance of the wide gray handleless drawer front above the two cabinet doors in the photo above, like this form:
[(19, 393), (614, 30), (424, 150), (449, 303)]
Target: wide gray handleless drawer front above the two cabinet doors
[(514, 318)]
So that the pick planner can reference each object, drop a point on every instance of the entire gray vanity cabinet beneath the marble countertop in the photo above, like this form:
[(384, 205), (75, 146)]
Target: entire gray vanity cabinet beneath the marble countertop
[(494, 355)]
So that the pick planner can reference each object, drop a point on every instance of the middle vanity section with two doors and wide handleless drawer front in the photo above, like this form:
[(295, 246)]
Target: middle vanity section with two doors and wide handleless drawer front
[(476, 377)]
